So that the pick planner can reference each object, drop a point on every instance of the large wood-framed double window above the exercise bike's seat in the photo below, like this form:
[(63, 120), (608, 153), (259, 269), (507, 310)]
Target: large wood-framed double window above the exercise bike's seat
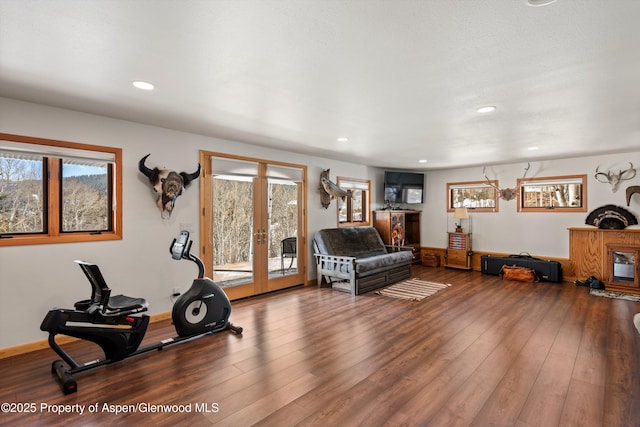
[(57, 191)]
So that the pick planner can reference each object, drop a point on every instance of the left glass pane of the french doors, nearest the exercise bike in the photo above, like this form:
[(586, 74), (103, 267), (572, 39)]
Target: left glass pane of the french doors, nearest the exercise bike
[(232, 229)]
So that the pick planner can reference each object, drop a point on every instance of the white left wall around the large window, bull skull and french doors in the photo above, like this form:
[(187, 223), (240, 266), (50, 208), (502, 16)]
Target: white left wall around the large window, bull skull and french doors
[(34, 278)]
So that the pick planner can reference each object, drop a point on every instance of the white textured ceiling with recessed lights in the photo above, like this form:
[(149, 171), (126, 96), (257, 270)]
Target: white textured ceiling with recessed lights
[(401, 79)]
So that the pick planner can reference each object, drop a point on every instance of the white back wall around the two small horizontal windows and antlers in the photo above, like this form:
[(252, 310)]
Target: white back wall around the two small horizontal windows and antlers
[(508, 231)]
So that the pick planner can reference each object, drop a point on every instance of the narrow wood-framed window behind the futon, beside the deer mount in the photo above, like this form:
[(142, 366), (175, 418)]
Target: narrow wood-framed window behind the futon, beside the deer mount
[(354, 210)]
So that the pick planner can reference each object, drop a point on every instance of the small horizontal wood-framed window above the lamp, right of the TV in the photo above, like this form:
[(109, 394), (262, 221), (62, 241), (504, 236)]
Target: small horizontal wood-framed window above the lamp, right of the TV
[(476, 195)]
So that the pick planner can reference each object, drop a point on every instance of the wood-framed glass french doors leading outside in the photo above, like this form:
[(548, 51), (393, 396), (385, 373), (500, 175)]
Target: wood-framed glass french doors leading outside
[(253, 225)]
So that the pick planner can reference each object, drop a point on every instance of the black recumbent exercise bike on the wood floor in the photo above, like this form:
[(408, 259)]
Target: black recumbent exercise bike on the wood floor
[(115, 324)]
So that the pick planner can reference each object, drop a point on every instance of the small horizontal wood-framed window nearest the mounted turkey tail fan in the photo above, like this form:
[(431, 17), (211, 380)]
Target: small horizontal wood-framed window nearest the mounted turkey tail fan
[(553, 194)]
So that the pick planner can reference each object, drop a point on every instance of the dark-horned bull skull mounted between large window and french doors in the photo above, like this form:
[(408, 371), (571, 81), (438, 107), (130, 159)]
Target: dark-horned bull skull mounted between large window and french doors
[(166, 185)]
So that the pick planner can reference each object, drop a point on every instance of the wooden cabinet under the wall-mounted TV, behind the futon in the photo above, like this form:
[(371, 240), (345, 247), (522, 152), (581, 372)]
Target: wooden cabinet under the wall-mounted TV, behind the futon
[(399, 226)]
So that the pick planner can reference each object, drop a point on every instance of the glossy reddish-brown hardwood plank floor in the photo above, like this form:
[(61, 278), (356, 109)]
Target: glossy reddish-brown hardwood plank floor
[(482, 352)]
